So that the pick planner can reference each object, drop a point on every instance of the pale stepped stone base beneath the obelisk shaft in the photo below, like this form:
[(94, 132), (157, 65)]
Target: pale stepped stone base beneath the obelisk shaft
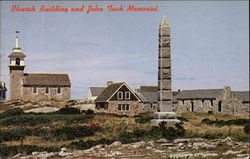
[(169, 117)]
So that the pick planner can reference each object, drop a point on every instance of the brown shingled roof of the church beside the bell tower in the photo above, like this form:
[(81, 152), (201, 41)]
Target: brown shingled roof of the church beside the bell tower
[(33, 79)]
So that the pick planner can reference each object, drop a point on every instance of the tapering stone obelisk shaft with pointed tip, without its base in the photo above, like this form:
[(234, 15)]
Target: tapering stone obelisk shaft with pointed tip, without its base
[(164, 66)]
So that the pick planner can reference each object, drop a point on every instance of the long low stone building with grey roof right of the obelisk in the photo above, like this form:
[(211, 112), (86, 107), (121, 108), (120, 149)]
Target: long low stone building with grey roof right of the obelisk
[(213, 100)]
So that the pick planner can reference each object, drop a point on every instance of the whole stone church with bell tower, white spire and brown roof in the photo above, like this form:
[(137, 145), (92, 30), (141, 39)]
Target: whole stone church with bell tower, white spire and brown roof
[(35, 86)]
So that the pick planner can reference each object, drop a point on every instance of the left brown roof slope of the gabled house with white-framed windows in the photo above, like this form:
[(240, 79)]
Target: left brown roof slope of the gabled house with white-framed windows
[(107, 92)]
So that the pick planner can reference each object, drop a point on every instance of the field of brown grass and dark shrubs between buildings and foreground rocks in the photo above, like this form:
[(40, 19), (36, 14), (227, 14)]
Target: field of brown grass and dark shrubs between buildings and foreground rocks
[(27, 132)]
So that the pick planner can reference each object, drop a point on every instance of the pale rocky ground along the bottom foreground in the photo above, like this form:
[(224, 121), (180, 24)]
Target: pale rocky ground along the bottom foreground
[(179, 148)]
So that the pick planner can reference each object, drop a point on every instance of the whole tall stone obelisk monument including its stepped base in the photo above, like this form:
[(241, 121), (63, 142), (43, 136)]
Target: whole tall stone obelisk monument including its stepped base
[(165, 113)]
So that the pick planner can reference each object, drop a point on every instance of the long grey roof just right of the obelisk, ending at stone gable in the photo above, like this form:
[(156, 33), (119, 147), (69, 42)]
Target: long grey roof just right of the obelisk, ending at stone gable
[(199, 94)]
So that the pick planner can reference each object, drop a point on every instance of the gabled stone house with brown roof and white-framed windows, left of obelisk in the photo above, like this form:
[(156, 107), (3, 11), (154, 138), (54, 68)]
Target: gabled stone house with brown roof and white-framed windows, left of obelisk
[(118, 98)]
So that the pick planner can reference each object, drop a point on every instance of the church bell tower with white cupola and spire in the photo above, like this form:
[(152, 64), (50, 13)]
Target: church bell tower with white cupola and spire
[(16, 66)]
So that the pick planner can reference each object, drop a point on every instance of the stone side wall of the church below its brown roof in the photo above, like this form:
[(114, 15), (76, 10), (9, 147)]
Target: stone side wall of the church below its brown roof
[(28, 95)]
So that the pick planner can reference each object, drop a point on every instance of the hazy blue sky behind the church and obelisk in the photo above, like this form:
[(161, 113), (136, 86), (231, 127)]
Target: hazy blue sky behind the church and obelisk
[(209, 43)]
